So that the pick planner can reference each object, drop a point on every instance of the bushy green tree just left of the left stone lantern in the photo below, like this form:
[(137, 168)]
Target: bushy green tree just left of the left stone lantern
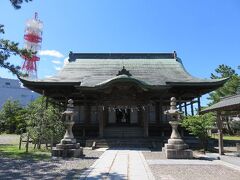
[(44, 123)]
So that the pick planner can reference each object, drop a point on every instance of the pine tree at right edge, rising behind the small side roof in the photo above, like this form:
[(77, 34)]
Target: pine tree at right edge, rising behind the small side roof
[(231, 87)]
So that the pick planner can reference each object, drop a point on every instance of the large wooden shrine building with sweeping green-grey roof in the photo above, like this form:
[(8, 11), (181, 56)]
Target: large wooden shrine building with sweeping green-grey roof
[(123, 94)]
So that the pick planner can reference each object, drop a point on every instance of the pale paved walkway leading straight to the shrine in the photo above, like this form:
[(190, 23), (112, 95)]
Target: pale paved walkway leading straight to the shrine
[(117, 164)]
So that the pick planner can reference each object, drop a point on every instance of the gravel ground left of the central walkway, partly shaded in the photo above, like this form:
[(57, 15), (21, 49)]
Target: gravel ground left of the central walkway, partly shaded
[(52, 169)]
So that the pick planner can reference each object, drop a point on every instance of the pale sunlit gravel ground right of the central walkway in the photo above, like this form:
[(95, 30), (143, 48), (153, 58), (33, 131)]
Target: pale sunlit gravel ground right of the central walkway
[(189, 171)]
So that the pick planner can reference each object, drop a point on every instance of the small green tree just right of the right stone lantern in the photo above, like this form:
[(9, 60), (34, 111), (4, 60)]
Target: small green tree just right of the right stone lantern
[(198, 126)]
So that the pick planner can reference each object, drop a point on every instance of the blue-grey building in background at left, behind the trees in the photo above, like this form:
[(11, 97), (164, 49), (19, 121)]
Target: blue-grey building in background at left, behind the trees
[(12, 89)]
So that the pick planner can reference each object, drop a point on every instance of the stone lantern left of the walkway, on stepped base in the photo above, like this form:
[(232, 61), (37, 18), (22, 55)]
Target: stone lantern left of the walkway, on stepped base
[(68, 146)]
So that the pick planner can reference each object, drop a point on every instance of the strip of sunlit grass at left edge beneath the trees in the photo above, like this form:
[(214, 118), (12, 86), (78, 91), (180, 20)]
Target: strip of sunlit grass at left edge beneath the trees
[(12, 151)]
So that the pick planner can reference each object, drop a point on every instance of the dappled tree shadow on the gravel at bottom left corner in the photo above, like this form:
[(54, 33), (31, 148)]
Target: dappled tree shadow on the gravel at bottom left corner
[(28, 169)]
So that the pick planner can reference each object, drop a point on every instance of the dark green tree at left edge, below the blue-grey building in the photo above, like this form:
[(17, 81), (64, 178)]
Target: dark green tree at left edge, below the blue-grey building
[(9, 117)]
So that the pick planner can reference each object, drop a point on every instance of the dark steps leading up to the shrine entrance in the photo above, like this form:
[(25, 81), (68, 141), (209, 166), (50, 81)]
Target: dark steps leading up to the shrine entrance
[(123, 132)]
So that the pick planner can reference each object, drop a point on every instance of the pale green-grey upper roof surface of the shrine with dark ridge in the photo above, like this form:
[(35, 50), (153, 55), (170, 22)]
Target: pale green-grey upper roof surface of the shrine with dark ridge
[(154, 69)]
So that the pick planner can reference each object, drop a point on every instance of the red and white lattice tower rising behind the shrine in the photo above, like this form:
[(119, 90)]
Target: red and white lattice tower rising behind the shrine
[(33, 40)]
